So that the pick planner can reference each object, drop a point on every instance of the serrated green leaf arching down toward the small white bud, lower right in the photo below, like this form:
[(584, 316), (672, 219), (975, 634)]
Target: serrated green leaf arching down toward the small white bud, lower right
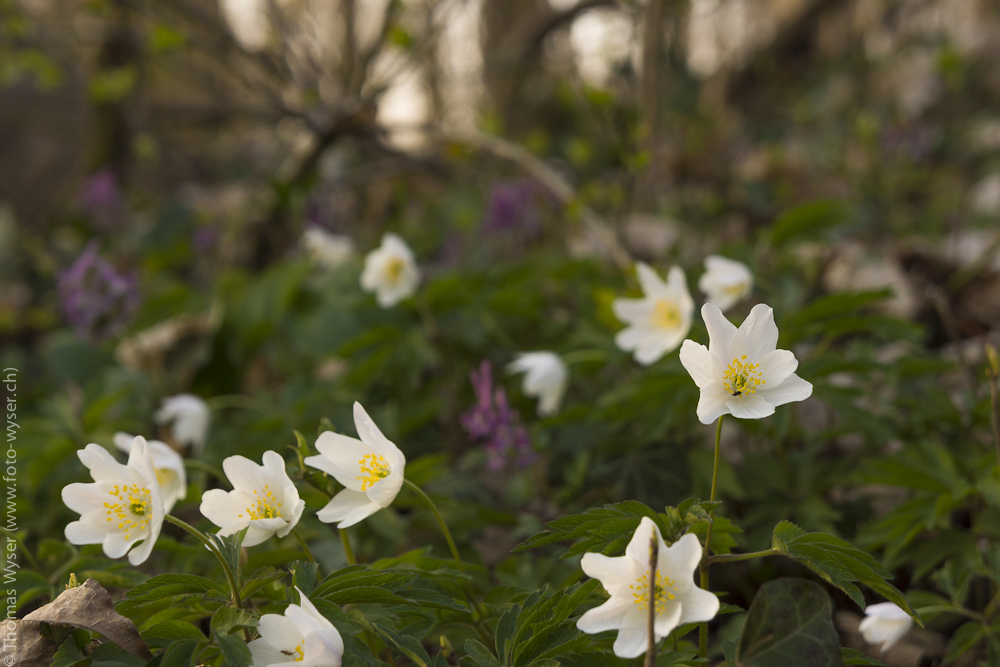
[(839, 563)]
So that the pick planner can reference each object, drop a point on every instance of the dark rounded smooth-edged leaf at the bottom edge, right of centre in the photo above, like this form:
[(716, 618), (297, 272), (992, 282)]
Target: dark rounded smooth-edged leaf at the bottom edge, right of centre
[(789, 623)]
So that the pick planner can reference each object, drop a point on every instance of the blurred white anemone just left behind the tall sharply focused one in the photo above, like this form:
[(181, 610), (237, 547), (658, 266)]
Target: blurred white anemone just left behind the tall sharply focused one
[(658, 322)]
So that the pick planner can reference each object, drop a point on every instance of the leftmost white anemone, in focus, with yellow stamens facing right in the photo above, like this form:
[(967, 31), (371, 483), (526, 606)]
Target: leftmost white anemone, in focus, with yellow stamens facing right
[(121, 507)]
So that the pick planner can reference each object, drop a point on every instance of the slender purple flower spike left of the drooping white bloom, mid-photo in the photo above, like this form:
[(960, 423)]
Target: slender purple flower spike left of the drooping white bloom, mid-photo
[(492, 421)]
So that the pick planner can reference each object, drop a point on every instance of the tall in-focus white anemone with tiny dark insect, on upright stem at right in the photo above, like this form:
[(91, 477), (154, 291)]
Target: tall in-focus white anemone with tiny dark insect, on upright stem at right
[(740, 372)]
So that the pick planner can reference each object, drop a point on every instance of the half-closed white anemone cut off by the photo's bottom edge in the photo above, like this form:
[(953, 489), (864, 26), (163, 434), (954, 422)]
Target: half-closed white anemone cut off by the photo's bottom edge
[(300, 635)]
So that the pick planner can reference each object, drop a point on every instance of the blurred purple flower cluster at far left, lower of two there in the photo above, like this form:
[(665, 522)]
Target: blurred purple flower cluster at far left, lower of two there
[(94, 298)]
